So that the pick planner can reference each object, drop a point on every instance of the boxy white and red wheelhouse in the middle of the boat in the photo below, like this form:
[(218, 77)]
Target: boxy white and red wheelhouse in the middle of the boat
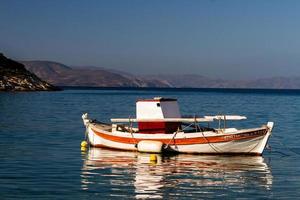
[(156, 110)]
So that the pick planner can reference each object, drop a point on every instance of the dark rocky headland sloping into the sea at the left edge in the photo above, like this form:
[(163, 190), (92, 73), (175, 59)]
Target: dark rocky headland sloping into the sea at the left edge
[(15, 77)]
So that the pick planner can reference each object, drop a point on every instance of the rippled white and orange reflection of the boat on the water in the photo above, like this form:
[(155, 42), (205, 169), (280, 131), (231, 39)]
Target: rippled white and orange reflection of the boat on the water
[(130, 173)]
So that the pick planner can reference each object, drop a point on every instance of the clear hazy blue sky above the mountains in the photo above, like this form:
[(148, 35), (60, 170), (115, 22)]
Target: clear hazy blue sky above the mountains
[(216, 38)]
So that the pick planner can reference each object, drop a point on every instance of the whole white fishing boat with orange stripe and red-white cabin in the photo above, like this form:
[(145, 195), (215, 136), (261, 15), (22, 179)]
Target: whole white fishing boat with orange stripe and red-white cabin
[(160, 128)]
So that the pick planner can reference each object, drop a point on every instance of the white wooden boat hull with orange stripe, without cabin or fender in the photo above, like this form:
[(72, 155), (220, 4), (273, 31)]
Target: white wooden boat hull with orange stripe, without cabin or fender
[(246, 141)]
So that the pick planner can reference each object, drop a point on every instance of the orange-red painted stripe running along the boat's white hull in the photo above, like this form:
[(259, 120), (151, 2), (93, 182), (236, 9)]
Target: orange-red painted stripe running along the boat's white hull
[(187, 141)]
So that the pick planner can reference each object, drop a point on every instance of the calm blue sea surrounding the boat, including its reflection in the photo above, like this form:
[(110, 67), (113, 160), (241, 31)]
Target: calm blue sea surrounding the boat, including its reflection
[(40, 157)]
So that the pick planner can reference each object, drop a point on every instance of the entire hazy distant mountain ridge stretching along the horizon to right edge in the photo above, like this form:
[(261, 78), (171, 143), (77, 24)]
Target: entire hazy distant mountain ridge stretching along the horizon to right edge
[(91, 76)]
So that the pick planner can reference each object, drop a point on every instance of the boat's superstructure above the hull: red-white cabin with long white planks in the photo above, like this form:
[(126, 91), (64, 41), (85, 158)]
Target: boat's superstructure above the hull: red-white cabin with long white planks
[(162, 115)]
